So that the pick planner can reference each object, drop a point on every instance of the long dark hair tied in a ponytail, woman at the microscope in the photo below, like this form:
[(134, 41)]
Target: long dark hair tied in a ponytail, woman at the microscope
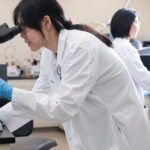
[(31, 12)]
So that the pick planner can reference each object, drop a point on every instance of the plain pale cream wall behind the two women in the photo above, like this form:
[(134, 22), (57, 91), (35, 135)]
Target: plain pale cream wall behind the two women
[(80, 11)]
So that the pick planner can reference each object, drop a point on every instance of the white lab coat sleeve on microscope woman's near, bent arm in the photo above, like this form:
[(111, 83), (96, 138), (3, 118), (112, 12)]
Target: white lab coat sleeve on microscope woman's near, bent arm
[(76, 82)]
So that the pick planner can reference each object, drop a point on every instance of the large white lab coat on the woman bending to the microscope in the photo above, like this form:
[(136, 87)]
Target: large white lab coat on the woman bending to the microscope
[(89, 90)]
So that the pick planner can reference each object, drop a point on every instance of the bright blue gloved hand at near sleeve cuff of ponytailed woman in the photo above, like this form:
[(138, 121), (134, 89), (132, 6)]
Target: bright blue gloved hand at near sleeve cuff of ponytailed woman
[(5, 90)]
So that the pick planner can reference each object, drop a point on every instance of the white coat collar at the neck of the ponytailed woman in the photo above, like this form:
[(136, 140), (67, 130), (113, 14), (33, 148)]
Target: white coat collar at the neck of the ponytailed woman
[(61, 46)]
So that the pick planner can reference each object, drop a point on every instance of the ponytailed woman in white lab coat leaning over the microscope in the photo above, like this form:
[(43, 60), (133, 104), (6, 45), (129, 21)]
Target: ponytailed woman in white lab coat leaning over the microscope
[(82, 84)]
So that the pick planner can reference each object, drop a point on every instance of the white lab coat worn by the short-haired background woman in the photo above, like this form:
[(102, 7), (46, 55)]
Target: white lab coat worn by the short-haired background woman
[(138, 72)]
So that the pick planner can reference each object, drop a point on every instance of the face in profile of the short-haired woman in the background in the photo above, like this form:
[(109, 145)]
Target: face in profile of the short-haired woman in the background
[(134, 29)]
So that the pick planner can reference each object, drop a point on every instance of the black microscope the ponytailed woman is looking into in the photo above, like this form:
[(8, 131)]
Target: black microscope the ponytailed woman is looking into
[(6, 34)]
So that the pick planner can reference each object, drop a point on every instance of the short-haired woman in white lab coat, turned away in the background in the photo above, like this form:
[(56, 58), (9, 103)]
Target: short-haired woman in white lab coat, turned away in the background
[(124, 27)]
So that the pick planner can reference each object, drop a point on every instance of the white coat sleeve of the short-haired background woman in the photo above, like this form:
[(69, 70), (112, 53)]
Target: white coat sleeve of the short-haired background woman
[(137, 70)]
